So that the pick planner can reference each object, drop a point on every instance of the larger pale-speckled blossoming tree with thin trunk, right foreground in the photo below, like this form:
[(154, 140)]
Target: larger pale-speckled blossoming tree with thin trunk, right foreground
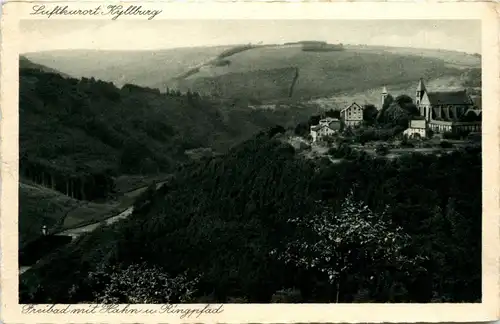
[(352, 242)]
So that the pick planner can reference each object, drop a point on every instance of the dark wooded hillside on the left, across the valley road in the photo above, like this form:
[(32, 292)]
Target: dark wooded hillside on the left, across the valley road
[(76, 134)]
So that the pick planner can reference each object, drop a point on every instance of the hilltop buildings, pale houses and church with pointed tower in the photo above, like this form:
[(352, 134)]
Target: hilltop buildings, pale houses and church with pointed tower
[(439, 112)]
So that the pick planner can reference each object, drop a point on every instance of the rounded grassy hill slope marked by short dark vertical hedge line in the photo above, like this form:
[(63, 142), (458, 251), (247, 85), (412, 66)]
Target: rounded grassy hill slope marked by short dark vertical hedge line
[(321, 73)]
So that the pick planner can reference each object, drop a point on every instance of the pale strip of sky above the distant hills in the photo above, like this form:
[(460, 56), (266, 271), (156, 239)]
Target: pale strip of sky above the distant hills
[(43, 35)]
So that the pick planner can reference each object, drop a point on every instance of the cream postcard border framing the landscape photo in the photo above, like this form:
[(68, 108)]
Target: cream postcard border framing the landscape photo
[(268, 313)]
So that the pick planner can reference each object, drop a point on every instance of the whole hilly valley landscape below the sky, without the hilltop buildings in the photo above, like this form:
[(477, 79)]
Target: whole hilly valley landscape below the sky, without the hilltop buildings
[(200, 164)]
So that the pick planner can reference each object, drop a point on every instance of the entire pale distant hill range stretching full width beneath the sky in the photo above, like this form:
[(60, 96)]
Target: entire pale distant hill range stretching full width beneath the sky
[(262, 72)]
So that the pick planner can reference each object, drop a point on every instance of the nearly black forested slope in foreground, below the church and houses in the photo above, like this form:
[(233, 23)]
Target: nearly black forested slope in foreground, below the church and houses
[(262, 223)]
